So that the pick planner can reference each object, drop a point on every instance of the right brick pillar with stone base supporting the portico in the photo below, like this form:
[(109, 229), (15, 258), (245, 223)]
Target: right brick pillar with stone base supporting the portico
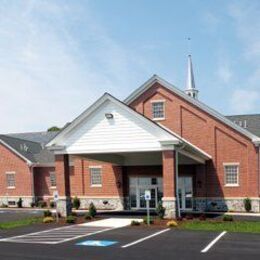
[(169, 177)]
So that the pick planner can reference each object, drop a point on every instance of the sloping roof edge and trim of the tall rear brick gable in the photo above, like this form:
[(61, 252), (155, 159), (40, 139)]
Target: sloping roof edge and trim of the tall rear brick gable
[(156, 79)]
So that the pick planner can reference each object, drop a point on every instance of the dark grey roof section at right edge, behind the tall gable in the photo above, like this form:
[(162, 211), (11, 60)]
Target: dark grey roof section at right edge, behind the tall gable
[(252, 122)]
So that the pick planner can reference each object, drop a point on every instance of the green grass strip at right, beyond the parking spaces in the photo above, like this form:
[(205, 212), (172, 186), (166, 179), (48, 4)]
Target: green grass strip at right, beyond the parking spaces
[(235, 226)]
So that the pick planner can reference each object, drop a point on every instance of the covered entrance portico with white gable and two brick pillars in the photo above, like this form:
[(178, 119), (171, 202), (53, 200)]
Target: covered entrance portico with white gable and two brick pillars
[(138, 154)]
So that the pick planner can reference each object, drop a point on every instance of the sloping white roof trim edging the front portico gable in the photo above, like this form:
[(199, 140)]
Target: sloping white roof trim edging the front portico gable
[(169, 137)]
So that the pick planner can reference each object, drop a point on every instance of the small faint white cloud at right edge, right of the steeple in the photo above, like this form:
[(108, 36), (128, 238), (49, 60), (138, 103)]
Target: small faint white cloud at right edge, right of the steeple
[(243, 101)]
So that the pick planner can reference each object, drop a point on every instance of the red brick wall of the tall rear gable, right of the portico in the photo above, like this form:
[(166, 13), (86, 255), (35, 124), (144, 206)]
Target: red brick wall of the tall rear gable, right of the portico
[(222, 142)]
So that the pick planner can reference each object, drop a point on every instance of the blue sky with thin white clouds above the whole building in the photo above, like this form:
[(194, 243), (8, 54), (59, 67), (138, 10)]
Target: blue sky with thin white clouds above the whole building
[(58, 57)]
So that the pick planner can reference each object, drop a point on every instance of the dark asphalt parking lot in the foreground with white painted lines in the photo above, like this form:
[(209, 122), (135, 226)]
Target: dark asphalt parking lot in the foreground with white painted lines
[(139, 243)]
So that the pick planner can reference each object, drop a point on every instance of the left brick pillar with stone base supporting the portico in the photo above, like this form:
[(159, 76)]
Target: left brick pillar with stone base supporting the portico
[(63, 184)]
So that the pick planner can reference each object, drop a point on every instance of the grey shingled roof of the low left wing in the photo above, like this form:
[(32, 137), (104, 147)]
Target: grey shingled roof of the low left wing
[(33, 152)]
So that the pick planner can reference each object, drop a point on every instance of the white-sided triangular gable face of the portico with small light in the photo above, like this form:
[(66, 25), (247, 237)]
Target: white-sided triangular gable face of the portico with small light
[(127, 131)]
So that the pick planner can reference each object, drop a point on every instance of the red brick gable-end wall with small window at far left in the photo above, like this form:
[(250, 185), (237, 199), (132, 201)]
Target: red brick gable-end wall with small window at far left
[(11, 162)]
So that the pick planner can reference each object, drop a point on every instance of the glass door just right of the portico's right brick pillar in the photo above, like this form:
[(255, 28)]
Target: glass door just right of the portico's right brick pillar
[(185, 192)]
